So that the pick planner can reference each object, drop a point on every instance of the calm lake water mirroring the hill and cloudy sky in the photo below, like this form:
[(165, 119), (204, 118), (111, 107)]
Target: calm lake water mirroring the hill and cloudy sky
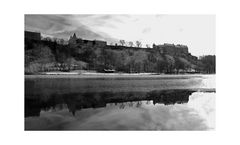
[(120, 103)]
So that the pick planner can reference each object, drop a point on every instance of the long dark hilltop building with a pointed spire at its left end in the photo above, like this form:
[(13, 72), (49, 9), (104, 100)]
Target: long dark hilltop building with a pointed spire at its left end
[(73, 40)]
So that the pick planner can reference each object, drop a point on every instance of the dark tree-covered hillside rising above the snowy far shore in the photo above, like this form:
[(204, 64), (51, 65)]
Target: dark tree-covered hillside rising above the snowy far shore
[(47, 55)]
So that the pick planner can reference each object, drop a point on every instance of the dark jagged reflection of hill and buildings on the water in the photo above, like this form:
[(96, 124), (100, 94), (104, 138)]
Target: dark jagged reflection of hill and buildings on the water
[(74, 102)]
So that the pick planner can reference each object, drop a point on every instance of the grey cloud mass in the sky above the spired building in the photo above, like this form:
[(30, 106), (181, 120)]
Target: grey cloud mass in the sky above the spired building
[(62, 26)]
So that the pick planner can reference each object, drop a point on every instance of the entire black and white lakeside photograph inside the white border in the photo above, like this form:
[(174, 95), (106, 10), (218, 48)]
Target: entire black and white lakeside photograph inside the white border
[(138, 72)]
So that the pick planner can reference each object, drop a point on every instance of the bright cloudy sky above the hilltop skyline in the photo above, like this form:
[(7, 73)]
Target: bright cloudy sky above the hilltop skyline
[(195, 31)]
